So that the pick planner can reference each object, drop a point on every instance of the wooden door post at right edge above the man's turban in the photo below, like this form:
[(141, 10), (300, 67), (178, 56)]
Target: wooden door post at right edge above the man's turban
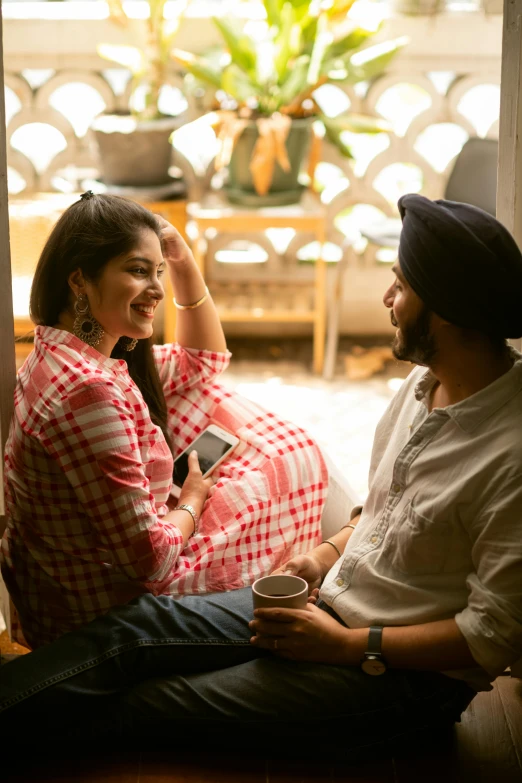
[(509, 188)]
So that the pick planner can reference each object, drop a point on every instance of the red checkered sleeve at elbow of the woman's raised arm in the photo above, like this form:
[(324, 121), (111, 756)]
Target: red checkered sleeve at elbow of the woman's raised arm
[(181, 369)]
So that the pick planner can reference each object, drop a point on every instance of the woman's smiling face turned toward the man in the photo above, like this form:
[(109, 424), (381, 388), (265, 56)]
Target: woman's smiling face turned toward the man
[(125, 296)]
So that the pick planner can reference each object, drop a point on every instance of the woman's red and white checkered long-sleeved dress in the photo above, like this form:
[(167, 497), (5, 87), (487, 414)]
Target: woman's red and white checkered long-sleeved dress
[(88, 476)]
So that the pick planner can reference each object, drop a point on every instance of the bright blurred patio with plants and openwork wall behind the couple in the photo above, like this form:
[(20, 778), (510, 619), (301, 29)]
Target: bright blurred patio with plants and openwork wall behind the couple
[(277, 136)]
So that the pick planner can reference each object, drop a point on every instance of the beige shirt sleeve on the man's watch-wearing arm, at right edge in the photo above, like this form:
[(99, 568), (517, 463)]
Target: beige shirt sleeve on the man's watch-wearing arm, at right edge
[(492, 621)]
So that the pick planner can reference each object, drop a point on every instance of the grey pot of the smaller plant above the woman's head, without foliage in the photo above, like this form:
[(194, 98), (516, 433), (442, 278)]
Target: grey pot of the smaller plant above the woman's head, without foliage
[(132, 153)]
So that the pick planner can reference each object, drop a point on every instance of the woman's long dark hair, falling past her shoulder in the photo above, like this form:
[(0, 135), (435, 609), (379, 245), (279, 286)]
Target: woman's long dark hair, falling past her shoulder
[(87, 236)]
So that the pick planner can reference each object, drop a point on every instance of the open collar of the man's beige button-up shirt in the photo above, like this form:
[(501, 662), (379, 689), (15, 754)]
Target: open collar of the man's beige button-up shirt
[(474, 410)]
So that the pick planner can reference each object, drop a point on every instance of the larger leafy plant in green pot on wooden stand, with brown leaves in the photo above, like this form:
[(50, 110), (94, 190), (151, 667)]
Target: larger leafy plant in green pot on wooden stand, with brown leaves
[(268, 81)]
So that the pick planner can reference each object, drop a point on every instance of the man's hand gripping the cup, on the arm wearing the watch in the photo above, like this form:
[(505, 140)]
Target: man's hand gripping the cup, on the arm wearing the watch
[(302, 635)]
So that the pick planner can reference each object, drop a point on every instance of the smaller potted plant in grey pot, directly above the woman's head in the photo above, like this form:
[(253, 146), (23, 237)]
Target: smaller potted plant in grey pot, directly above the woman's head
[(134, 147)]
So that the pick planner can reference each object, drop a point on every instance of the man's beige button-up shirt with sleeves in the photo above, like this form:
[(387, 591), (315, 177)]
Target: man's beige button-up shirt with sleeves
[(440, 534)]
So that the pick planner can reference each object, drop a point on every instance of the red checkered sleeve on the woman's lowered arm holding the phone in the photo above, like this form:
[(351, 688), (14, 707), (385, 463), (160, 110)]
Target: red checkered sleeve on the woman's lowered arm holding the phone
[(92, 436)]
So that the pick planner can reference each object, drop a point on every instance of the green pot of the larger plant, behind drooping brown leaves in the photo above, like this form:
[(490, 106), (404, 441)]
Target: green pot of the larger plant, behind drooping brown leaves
[(285, 187)]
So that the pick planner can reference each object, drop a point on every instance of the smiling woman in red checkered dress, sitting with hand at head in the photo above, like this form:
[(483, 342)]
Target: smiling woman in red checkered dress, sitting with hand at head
[(99, 416)]
